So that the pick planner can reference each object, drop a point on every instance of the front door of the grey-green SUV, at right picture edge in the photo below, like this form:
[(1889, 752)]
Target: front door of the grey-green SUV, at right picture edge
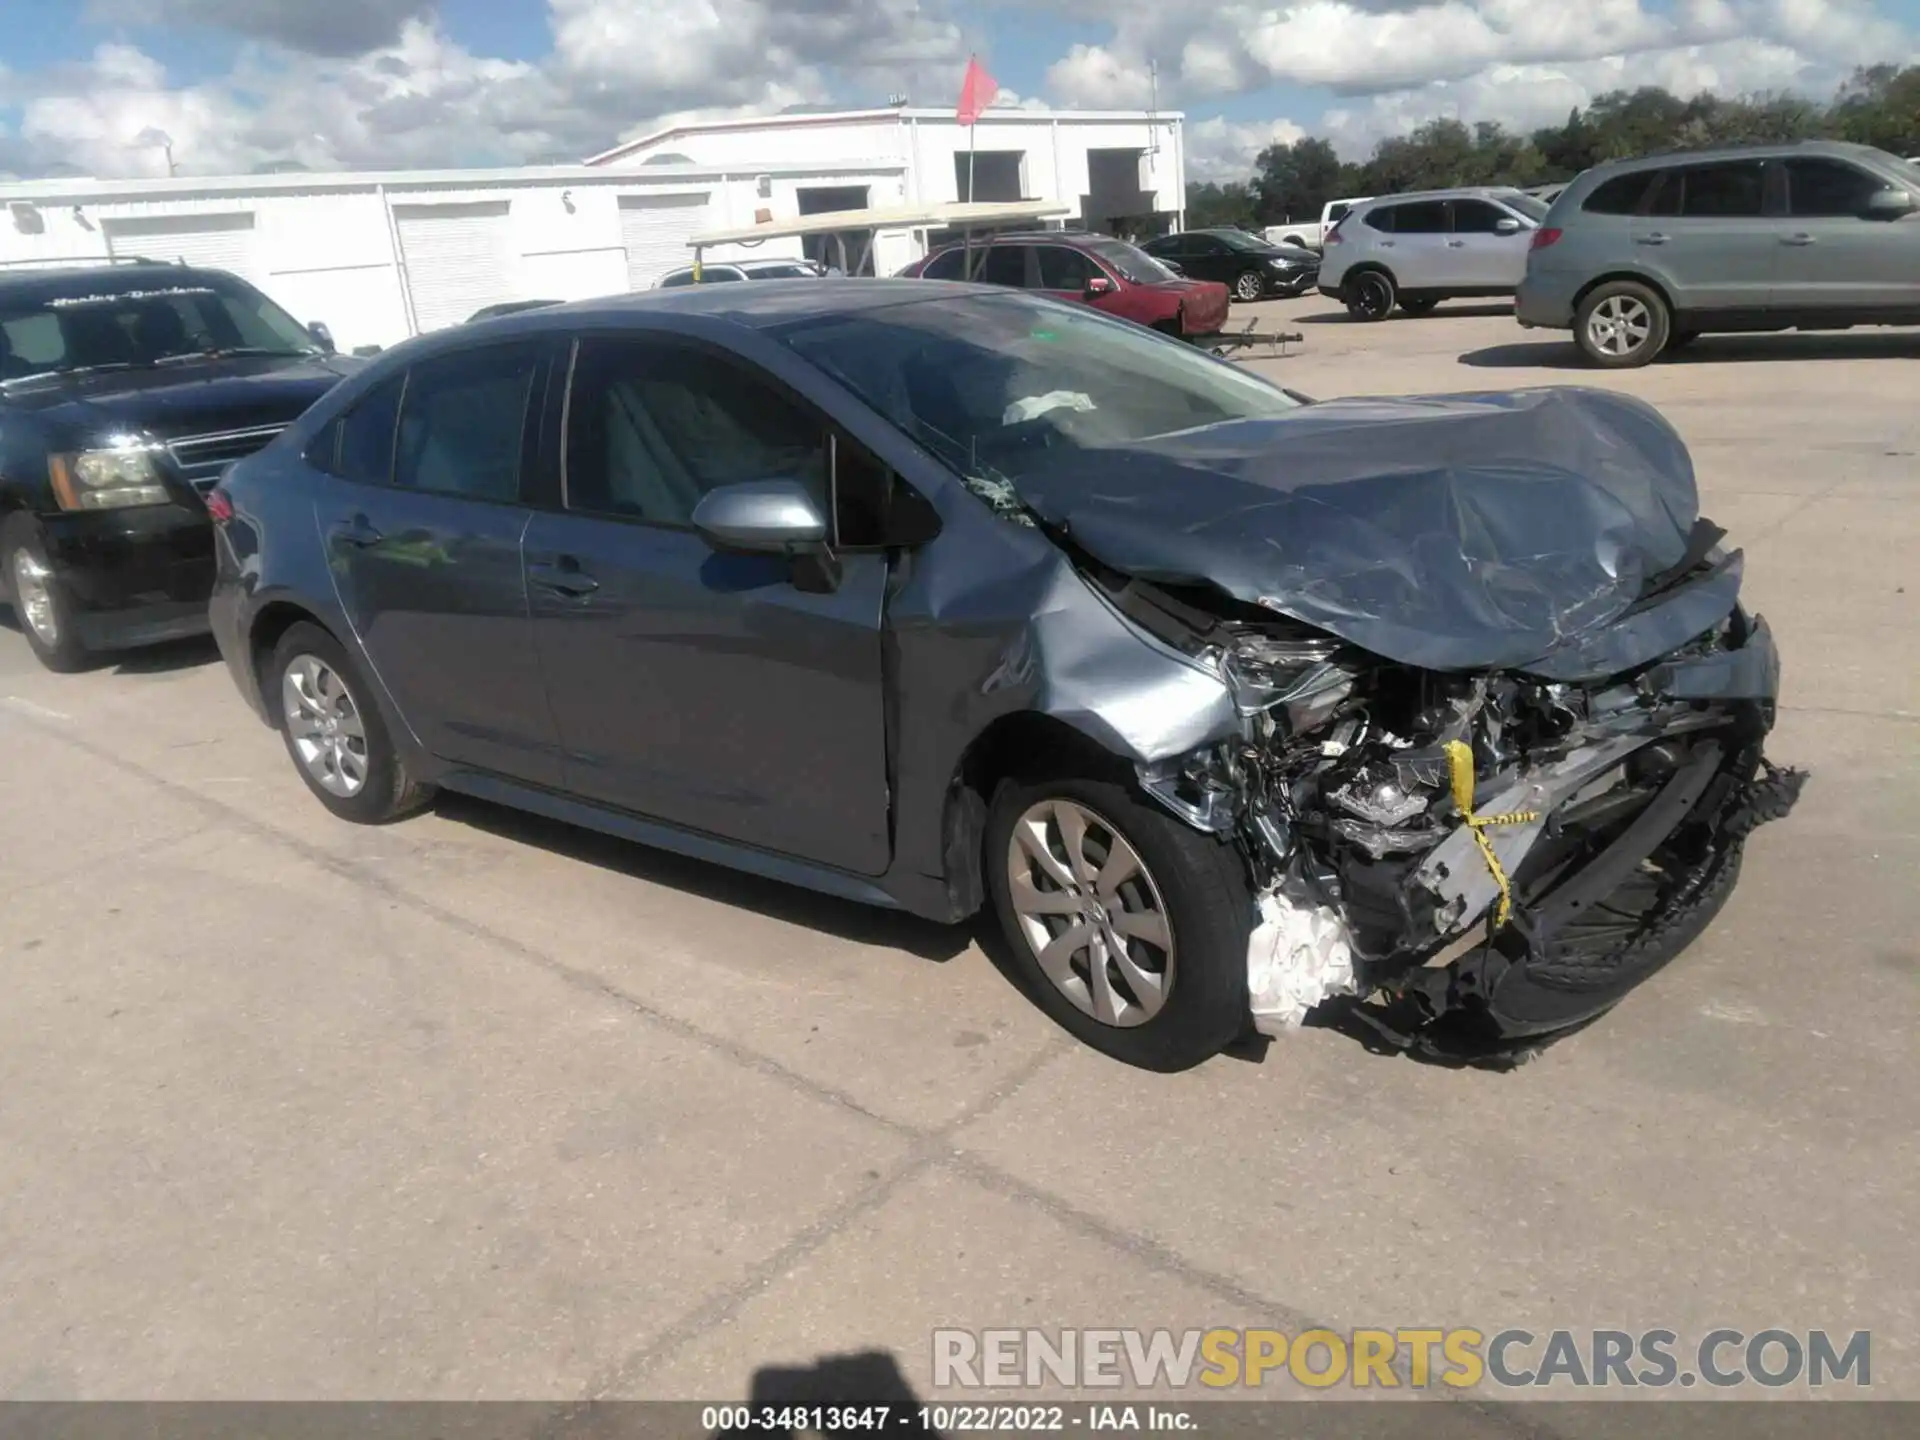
[(1833, 256)]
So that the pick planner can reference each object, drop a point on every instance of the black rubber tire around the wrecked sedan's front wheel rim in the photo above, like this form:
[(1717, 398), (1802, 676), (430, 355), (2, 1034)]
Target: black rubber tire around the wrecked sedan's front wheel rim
[(1203, 890)]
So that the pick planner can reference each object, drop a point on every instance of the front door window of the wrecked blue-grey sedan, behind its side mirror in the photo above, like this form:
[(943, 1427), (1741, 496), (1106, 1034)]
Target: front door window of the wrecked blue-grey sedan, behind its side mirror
[(656, 425)]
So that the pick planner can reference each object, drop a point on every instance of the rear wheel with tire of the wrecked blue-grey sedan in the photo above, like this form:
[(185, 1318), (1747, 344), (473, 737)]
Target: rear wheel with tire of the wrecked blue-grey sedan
[(335, 732)]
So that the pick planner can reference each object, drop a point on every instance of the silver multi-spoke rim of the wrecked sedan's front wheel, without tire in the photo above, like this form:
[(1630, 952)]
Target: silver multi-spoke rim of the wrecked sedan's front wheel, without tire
[(1092, 913)]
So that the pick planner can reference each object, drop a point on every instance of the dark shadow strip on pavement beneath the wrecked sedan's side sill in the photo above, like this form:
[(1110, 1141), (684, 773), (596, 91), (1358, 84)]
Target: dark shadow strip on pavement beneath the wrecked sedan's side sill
[(846, 919)]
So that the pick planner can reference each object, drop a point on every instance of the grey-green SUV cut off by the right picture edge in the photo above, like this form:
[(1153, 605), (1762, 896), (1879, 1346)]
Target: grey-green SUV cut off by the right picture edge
[(1644, 256)]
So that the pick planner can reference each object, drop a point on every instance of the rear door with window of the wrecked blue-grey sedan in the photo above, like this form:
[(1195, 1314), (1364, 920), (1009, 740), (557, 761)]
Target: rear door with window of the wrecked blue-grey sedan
[(423, 533)]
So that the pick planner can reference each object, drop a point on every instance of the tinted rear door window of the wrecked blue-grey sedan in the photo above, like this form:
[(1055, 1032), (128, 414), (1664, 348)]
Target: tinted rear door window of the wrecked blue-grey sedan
[(464, 423)]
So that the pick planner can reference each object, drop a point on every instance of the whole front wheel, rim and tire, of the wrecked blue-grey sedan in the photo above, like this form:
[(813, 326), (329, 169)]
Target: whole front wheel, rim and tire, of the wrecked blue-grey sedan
[(1124, 924)]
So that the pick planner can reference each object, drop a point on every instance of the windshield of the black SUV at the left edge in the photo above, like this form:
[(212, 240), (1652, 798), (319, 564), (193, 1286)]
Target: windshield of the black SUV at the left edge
[(89, 325)]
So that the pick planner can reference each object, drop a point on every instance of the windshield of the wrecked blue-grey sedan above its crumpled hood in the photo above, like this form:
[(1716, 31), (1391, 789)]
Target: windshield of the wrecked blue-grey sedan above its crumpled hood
[(994, 385)]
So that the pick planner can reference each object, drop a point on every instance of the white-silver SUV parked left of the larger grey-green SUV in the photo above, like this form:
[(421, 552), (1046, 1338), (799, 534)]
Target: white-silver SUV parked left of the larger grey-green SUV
[(1422, 249)]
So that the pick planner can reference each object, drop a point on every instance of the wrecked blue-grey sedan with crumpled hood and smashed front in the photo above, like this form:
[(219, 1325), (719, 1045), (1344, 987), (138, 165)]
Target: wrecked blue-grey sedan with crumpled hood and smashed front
[(955, 600)]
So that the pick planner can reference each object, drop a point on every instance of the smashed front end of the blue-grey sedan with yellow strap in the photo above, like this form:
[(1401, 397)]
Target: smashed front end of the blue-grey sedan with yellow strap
[(1483, 855)]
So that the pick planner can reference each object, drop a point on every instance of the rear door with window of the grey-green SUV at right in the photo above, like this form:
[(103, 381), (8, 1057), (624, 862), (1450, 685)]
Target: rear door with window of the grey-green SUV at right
[(1708, 235)]
